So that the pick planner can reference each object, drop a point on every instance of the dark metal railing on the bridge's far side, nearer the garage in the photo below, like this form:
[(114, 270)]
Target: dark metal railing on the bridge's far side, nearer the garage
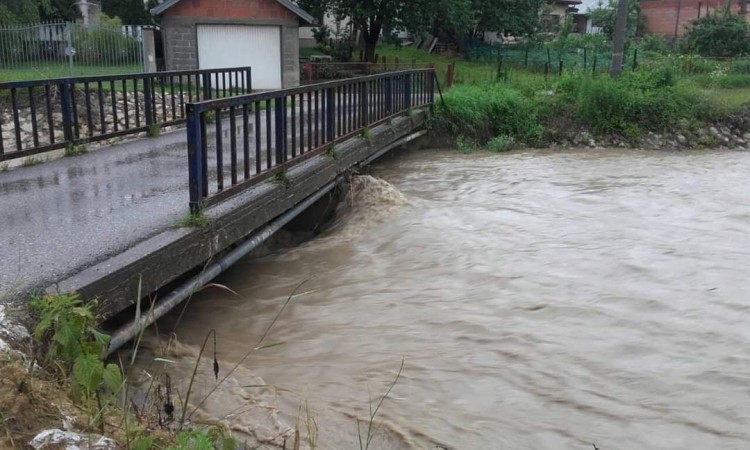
[(44, 115)]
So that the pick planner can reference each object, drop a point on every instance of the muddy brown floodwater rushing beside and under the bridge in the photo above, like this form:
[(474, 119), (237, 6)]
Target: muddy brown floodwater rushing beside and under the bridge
[(538, 300)]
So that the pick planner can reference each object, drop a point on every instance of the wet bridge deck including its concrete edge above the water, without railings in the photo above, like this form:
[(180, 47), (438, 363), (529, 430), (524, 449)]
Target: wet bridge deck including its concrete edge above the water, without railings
[(103, 223)]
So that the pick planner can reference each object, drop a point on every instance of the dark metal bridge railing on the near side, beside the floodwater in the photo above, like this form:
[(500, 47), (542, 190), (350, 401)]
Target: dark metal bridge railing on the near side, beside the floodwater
[(234, 143)]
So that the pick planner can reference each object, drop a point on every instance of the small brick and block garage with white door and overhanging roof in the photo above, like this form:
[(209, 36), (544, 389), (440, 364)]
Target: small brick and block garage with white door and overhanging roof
[(215, 34)]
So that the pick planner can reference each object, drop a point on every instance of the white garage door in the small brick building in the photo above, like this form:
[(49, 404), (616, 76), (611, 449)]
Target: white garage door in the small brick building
[(221, 46)]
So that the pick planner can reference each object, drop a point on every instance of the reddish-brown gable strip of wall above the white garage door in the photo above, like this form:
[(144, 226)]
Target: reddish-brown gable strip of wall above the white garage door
[(238, 9)]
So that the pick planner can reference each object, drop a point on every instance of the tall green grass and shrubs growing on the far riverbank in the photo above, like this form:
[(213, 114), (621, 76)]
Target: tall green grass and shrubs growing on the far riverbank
[(534, 111)]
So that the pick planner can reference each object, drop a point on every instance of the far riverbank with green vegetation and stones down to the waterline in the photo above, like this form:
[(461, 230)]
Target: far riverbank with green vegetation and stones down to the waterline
[(651, 108)]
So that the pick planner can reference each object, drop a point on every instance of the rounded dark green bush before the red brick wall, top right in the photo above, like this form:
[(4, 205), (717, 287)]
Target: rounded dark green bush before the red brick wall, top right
[(718, 34)]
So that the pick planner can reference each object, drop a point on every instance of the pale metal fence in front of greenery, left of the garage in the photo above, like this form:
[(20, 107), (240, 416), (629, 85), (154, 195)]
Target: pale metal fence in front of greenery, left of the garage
[(51, 50)]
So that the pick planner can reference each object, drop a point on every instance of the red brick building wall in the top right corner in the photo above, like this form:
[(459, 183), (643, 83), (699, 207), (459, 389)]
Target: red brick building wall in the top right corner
[(661, 15)]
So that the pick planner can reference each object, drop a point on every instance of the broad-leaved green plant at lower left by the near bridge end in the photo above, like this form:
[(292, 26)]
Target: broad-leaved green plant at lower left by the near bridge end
[(67, 330)]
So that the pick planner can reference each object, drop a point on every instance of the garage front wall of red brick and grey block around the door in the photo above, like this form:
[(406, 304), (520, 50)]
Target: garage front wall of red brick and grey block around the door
[(180, 38)]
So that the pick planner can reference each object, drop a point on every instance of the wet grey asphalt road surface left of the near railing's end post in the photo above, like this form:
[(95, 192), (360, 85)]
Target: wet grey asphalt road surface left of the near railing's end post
[(62, 216)]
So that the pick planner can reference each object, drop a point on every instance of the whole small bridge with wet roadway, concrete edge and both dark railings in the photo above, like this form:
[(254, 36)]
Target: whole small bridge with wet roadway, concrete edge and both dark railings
[(168, 213)]
